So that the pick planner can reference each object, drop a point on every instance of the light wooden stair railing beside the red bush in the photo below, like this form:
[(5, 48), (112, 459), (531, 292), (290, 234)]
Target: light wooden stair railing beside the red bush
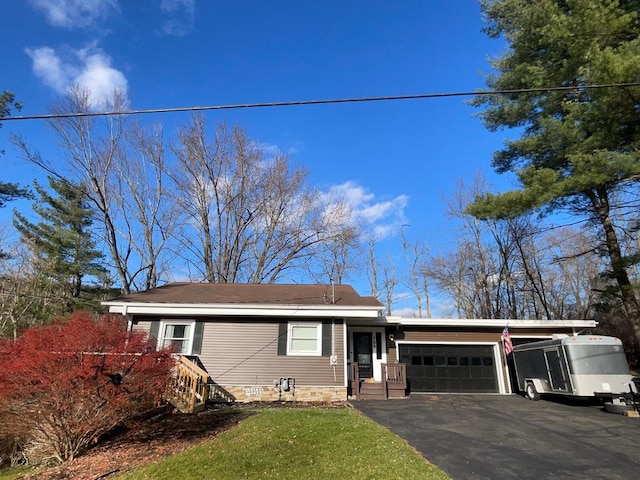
[(189, 390)]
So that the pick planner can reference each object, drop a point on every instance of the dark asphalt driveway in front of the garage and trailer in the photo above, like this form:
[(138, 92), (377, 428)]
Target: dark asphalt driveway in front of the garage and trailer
[(506, 436)]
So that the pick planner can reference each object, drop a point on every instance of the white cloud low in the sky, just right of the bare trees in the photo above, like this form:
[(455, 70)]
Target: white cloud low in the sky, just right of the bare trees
[(383, 217)]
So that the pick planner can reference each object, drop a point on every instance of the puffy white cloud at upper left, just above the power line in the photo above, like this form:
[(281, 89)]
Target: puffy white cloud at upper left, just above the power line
[(89, 68)]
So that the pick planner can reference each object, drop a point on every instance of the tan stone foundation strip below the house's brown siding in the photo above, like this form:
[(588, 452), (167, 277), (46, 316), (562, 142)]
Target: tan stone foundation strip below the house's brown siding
[(269, 393)]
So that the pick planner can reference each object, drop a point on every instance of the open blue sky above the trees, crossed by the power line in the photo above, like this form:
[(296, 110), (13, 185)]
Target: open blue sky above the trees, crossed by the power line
[(397, 159)]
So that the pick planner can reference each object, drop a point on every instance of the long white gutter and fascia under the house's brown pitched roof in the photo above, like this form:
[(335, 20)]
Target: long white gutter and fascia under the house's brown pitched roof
[(234, 309)]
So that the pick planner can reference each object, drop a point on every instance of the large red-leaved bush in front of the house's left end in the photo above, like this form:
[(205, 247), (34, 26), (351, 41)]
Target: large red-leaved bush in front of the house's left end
[(62, 386)]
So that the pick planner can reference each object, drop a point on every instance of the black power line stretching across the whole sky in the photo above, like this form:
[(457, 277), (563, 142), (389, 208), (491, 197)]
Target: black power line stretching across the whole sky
[(319, 102)]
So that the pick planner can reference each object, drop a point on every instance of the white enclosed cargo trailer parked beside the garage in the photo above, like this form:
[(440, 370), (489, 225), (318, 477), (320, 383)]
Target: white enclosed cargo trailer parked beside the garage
[(578, 366)]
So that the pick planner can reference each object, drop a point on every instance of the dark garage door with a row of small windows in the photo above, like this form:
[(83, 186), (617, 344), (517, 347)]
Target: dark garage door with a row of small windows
[(450, 368)]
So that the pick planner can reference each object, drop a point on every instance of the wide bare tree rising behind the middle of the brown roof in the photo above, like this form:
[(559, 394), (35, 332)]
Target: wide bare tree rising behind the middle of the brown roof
[(254, 216)]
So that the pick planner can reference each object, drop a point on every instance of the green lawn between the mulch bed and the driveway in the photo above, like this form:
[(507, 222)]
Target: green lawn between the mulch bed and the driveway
[(297, 443)]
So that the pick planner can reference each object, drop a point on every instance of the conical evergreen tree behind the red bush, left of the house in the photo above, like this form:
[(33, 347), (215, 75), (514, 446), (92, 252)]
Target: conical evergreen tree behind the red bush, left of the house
[(62, 239)]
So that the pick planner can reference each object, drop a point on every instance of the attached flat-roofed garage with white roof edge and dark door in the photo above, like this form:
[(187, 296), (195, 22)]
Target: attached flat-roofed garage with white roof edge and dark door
[(464, 355)]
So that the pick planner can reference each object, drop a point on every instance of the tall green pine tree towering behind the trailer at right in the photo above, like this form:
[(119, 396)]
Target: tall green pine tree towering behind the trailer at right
[(579, 151)]
